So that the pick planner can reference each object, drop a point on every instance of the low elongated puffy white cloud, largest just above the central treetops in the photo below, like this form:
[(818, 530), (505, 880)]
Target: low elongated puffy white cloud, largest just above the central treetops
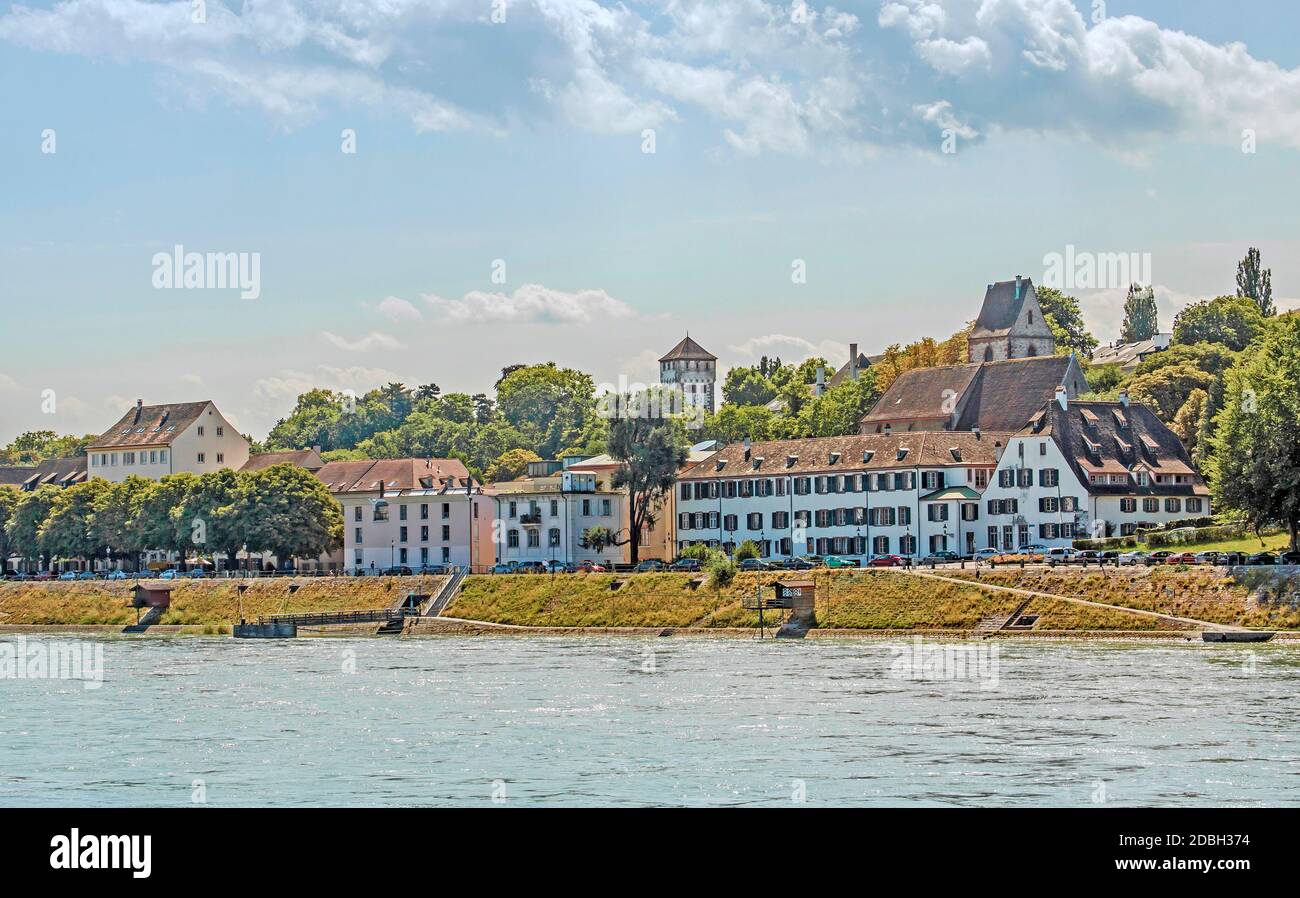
[(532, 303)]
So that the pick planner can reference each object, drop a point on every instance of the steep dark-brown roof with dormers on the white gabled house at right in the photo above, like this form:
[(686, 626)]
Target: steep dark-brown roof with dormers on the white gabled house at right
[(1091, 436)]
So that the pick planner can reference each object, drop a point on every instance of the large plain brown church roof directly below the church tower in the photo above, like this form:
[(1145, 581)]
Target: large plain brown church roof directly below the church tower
[(990, 396)]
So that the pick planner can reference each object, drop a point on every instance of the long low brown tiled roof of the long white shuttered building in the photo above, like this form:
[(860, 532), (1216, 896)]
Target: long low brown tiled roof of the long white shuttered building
[(857, 453)]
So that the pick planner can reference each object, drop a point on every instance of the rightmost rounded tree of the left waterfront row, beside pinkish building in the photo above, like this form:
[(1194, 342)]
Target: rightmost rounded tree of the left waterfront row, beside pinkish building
[(291, 514)]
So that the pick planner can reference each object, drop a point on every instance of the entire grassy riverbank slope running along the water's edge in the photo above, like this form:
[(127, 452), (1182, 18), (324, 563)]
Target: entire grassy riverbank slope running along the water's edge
[(848, 604)]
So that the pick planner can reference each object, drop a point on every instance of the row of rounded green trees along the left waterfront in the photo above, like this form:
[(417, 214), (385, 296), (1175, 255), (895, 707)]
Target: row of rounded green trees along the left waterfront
[(283, 510)]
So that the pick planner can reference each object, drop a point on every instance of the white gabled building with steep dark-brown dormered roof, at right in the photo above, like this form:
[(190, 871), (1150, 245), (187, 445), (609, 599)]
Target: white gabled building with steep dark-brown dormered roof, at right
[(1090, 470)]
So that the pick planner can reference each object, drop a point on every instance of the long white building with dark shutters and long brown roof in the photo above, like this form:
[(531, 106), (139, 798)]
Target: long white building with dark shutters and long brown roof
[(856, 497)]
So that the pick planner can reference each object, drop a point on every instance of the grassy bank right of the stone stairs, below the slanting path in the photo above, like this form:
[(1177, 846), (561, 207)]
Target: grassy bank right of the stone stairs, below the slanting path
[(850, 600)]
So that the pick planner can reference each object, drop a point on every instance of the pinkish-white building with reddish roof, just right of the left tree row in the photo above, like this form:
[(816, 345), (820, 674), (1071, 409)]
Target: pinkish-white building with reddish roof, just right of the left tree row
[(410, 513)]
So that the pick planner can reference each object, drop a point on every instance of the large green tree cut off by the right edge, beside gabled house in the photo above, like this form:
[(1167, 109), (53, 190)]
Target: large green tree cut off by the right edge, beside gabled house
[(1255, 465)]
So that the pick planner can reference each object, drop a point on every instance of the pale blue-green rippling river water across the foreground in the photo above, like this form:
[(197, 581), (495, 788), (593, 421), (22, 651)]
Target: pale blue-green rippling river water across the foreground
[(652, 722)]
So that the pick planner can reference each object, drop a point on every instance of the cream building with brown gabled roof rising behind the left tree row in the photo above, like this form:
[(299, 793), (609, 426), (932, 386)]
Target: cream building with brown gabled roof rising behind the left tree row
[(153, 441)]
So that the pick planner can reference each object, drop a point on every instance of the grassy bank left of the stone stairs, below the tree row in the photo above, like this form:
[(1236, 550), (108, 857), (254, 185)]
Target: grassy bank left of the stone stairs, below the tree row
[(213, 605)]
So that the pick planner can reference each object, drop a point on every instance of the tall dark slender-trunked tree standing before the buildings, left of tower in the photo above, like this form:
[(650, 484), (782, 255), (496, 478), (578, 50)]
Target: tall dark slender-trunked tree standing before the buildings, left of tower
[(652, 452)]
